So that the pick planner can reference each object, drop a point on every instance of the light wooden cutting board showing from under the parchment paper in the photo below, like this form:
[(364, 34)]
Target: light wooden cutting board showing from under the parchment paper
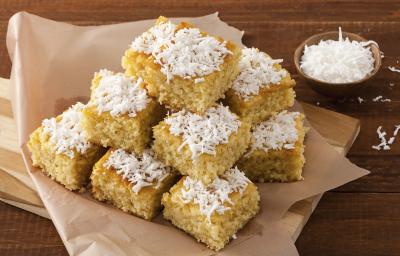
[(16, 187)]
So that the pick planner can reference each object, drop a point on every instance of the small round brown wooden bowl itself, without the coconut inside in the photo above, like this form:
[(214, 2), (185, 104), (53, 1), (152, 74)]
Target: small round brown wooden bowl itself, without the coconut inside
[(336, 89)]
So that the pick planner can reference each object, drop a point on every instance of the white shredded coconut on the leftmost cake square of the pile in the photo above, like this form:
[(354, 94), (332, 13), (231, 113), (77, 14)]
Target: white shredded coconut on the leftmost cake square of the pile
[(67, 134)]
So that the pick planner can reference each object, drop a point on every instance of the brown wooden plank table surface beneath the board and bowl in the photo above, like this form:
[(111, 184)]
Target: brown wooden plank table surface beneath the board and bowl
[(360, 218)]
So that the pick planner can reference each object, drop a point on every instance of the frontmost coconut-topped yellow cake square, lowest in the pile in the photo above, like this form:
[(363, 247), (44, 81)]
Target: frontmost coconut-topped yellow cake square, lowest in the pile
[(212, 214)]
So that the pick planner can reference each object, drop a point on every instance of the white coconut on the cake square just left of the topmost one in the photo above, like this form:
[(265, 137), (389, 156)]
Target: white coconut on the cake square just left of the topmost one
[(119, 94)]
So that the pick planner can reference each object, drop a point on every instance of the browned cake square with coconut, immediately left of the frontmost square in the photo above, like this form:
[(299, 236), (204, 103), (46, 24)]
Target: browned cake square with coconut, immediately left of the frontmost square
[(132, 183)]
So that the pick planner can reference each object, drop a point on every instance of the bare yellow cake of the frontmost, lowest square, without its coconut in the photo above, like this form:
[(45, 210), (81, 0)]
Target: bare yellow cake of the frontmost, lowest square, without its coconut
[(216, 233)]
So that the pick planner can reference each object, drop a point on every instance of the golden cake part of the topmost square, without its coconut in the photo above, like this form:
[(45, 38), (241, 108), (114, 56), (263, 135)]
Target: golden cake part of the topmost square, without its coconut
[(182, 93)]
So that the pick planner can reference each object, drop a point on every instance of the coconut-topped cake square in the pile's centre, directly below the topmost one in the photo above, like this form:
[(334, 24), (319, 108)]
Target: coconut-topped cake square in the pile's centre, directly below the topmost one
[(201, 146)]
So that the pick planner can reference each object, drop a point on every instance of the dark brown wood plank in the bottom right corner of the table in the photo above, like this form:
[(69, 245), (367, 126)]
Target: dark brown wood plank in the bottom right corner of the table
[(353, 224)]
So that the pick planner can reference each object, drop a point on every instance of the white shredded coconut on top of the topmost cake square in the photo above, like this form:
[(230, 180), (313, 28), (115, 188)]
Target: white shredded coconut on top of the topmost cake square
[(186, 53)]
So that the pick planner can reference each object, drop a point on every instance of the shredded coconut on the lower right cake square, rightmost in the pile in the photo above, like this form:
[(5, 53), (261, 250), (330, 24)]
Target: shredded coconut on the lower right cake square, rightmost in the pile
[(276, 133)]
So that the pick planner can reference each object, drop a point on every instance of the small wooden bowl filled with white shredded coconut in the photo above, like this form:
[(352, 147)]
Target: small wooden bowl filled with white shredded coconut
[(337, 63)]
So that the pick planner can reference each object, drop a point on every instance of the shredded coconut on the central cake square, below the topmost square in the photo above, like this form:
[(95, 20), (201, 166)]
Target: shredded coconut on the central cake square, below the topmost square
[(202, 133)]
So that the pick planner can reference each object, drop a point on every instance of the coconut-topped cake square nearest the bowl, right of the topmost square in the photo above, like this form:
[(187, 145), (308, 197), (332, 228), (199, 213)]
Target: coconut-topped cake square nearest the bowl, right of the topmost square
[(261, 89)]
